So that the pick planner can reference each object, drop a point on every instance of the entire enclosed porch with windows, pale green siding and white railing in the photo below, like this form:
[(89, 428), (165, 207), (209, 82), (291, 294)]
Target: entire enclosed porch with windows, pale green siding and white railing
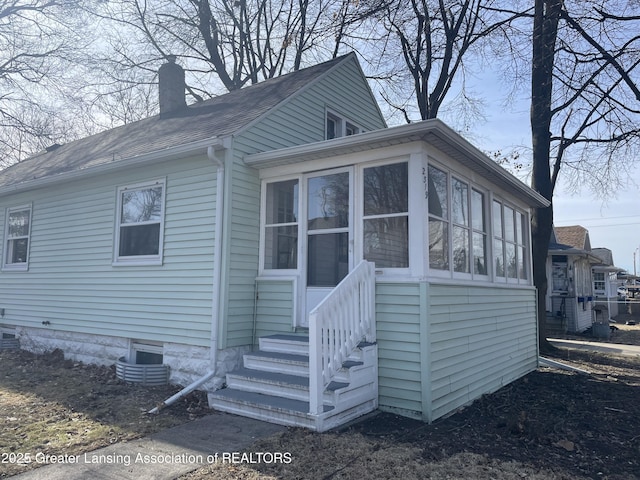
[(408, 241)]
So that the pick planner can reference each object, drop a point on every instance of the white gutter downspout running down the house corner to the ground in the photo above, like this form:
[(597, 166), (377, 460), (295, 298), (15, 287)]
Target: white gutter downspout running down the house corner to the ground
[(215, 153)]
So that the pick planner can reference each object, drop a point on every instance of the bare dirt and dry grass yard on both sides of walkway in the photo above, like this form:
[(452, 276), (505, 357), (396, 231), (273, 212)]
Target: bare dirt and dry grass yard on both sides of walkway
[(551, 424)]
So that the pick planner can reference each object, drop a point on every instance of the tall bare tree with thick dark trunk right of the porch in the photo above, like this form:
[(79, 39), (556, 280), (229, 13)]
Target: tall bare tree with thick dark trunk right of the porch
[(585, 106)]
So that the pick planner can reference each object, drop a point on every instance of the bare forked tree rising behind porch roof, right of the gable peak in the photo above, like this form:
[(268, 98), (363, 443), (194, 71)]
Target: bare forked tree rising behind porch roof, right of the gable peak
[(439, 39)]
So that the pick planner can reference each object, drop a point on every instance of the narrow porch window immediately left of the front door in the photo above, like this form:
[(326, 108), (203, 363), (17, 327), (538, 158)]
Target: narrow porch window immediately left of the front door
[(281, 226)]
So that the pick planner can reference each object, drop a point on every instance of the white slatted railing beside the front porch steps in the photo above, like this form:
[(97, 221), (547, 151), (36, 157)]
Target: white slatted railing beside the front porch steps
[(337, 325)]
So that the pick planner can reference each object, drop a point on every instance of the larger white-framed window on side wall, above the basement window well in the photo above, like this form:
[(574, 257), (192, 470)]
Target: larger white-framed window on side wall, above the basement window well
[(140, 223)]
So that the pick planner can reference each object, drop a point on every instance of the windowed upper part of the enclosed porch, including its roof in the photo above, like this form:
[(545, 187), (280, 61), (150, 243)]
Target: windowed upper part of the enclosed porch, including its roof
[(405, 198)]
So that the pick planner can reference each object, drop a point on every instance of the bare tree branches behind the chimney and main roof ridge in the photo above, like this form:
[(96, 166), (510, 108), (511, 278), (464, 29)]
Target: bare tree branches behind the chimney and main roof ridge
[(223, 44)]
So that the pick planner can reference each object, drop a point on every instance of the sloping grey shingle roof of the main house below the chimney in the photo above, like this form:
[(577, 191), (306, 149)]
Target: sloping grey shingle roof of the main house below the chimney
[(214, 118)]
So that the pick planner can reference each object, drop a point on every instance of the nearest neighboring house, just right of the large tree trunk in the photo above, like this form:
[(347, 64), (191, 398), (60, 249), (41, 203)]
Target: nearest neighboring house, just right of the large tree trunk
[(570, 295)]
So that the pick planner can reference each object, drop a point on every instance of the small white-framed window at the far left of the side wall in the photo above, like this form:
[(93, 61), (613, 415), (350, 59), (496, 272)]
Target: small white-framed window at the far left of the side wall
[(17, 234)]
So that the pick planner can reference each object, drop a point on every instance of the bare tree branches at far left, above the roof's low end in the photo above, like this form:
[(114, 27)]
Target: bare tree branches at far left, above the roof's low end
[(38, 45)]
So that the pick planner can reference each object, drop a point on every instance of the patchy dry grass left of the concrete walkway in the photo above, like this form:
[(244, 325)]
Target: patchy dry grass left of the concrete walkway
[(52, 406)]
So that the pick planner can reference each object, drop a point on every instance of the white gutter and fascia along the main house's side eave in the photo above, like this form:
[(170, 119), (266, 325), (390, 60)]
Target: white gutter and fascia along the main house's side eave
[(138, 160)]
